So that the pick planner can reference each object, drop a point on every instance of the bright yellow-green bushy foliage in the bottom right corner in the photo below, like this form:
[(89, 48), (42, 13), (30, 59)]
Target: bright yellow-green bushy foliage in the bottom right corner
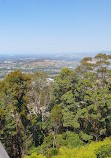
[(87, 151)]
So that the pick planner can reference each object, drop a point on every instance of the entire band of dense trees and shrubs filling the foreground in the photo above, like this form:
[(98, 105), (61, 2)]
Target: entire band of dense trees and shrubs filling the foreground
[(70, 117)]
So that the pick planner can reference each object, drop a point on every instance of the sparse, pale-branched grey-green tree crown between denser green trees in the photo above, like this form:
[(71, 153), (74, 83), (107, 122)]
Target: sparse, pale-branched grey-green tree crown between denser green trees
[(40, 94)]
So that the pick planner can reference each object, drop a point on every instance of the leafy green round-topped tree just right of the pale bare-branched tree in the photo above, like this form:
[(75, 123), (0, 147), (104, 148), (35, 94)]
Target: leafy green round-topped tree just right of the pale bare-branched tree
[(66, 95)]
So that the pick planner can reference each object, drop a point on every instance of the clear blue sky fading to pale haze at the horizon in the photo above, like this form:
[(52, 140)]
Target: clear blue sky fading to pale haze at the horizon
[(54, 26)]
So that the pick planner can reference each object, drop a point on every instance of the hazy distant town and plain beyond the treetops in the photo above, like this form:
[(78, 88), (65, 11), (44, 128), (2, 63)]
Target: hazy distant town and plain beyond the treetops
[(28, 64)]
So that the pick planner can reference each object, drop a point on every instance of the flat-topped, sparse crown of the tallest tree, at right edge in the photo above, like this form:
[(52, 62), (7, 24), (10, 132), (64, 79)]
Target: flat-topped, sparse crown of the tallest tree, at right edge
[(98, 64)]
